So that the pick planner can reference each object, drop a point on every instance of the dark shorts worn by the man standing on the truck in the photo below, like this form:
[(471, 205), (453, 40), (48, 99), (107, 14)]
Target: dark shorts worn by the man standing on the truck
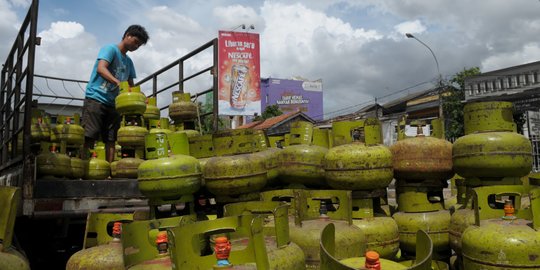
[(99, 120)]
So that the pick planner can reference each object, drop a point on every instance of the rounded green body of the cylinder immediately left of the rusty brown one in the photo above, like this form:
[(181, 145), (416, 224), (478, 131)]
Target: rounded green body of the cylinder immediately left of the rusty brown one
[(356, 166)]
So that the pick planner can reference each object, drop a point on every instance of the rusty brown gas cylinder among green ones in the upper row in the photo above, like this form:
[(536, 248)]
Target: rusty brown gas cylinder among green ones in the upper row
[(420, 158)]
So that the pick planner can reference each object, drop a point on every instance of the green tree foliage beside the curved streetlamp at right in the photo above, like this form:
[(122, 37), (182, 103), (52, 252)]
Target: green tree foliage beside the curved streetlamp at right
[(453, 96)]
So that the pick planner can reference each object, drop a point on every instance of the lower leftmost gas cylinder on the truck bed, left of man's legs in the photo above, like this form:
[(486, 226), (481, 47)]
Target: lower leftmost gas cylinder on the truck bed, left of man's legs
[(52, 163)]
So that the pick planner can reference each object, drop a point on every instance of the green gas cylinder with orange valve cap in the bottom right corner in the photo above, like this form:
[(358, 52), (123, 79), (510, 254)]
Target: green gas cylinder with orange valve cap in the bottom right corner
[(503, 238)]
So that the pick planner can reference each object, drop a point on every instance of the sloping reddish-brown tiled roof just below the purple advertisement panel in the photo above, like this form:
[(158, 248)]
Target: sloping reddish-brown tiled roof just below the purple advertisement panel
[(280, 124)]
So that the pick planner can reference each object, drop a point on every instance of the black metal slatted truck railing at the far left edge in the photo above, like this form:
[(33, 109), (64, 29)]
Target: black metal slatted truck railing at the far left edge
[(16, 88)]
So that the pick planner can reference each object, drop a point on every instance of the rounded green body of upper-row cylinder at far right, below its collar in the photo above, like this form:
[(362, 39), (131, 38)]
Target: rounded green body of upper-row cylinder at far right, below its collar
[(492, 154)]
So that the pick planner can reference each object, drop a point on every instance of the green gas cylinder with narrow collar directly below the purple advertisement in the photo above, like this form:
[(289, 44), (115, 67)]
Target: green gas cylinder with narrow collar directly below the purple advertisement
[(301, 162)]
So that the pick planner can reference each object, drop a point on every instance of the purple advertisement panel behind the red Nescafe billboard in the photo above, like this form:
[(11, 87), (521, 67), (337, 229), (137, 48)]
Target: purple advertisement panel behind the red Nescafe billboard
[(293, 95)]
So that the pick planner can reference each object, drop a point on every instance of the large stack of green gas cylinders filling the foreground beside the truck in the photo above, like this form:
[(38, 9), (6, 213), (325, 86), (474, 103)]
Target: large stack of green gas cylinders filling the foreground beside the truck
[(233, 200)]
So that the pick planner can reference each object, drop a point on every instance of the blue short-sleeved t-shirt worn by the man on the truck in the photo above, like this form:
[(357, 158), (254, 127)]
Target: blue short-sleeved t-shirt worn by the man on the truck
[(120, 66)]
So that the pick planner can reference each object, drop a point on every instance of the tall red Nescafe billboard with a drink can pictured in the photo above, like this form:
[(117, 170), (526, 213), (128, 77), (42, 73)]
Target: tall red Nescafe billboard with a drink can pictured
[(238, 73)]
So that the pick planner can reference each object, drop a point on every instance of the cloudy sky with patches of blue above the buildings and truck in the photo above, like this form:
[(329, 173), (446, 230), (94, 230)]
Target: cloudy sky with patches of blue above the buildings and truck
[(357, 47)]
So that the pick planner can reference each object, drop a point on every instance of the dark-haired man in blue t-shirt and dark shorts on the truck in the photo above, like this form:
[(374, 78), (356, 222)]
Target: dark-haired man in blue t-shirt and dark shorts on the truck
[(112, 66)]
